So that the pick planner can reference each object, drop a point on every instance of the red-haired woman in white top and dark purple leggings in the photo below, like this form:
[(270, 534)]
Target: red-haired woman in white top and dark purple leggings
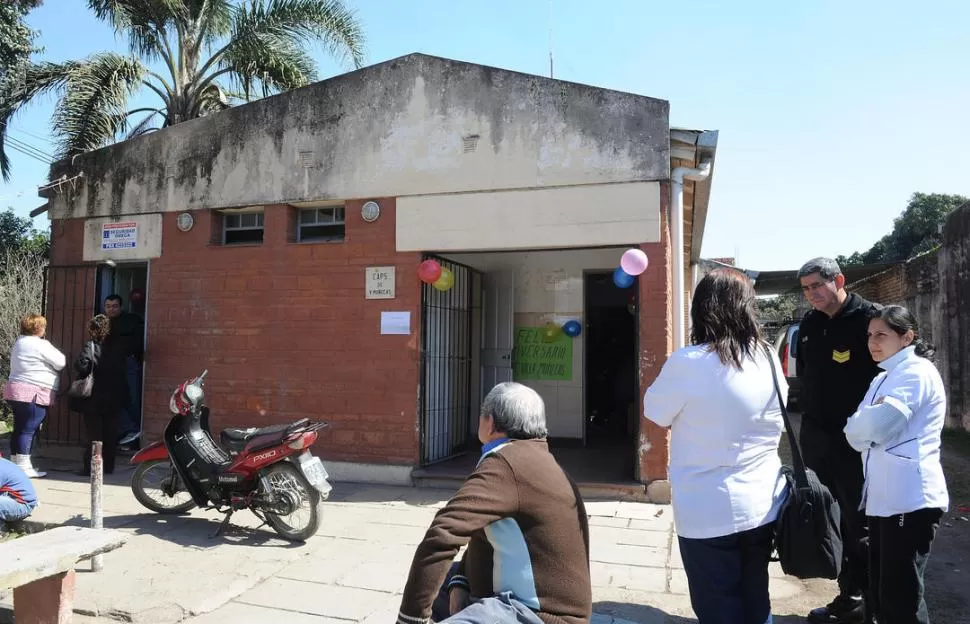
[(34, 367)]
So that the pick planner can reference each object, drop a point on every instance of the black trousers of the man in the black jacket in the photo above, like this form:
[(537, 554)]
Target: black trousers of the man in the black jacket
[(839, 468)]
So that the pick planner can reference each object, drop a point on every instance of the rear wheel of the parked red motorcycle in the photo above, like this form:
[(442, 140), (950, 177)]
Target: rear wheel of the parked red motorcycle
[(296, 515)]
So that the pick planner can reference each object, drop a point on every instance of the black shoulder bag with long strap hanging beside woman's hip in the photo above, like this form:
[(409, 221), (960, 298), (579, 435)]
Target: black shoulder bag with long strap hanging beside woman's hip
[(808, 533)]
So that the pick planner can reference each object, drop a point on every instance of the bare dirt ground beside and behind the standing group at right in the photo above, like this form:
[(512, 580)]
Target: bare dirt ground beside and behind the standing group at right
[(948, 572)]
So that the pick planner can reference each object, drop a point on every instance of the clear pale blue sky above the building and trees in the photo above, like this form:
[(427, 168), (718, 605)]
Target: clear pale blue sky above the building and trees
[(830, 113)]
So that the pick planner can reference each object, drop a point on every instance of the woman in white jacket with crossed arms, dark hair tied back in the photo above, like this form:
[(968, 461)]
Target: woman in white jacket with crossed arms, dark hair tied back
[(897, 429)]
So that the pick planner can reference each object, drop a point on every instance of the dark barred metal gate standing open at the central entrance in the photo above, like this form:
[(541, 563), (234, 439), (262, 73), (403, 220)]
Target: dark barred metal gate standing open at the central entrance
[(446, 365)]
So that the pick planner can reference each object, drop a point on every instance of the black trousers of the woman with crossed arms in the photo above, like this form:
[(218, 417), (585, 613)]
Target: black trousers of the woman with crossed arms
[(899, 548)]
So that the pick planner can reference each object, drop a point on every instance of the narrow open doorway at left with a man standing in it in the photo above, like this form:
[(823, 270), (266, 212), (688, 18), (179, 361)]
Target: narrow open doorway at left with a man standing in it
[(129, 282)]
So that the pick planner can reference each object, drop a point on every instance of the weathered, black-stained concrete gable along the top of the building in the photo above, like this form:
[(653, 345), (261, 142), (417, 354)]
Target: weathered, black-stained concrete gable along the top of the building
[(413, 125)]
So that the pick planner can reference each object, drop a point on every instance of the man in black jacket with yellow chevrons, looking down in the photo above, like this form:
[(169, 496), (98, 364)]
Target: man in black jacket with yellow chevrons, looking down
[(835, 368)]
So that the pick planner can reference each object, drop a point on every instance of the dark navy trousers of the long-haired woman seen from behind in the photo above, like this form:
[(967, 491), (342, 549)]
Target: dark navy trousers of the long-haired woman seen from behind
[(728, 576)]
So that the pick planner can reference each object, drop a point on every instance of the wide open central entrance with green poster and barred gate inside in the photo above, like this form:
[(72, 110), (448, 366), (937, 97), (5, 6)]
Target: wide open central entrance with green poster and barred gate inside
[(518, 294)]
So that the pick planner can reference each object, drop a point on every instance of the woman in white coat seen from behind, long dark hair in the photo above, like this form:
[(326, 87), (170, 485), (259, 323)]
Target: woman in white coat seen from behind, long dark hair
[(718, 397)]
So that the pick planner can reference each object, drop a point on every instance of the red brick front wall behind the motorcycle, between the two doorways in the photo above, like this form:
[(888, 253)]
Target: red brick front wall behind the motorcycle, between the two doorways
[(286, 332)]
